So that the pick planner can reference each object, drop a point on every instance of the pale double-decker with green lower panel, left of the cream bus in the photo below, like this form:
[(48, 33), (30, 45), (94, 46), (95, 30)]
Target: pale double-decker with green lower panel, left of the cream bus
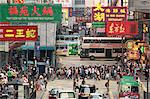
[(67, 45)]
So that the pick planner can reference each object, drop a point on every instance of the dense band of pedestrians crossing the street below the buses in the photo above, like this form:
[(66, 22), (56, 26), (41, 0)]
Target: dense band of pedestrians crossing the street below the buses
[(97, 72)]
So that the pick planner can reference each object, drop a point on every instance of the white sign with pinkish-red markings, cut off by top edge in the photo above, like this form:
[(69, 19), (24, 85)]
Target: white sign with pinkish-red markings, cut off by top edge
[(65, 3)]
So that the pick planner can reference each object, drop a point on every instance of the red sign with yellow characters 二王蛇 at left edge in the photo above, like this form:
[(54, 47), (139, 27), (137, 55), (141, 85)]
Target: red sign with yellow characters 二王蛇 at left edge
[(18, 33)]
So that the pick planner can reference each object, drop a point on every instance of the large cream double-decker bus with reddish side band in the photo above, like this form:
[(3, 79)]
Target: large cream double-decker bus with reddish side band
[(93, 47)]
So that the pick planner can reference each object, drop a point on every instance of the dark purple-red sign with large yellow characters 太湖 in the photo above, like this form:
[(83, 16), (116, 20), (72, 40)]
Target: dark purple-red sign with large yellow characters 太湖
[(103, 14)]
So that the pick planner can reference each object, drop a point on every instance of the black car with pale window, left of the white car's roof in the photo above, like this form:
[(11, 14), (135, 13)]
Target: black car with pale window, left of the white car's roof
[(85, 90)]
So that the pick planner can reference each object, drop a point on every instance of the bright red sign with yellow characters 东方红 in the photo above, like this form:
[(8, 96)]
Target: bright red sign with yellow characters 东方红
[(121, 28)]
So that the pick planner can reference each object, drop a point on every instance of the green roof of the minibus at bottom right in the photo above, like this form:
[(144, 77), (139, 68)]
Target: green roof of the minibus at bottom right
[(128, 80)]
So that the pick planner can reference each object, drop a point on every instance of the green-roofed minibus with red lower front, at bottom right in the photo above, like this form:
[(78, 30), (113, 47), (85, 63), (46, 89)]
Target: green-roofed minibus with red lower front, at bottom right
[(128, 87)]
